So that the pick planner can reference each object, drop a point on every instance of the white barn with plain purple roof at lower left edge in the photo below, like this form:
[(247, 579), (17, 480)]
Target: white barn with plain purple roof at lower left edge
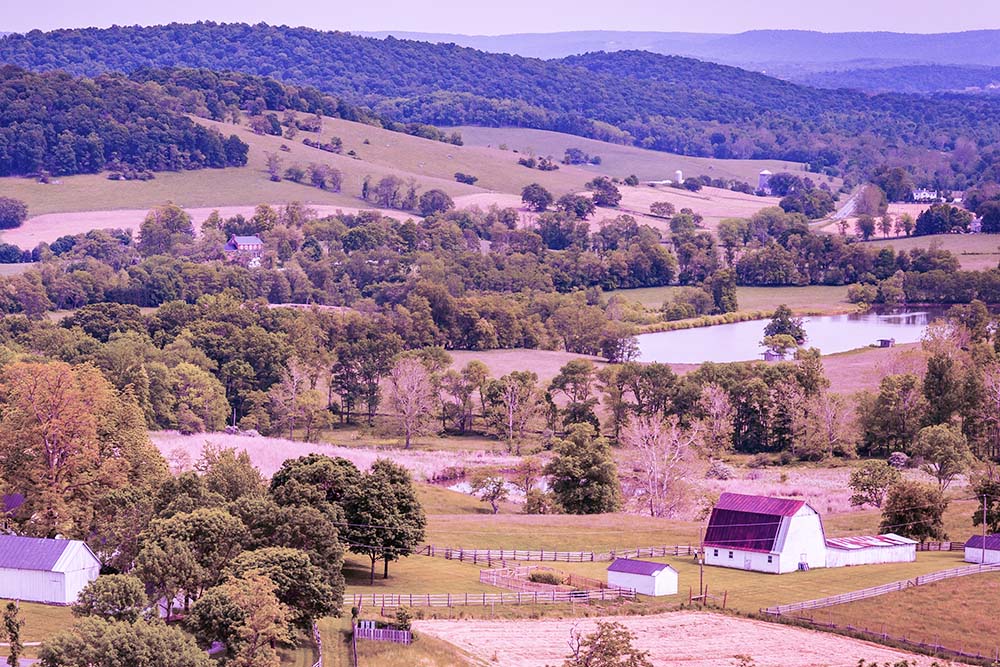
[(34, 569)]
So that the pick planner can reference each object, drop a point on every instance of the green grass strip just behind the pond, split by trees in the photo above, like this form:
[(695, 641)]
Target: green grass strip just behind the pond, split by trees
[(815, 299)]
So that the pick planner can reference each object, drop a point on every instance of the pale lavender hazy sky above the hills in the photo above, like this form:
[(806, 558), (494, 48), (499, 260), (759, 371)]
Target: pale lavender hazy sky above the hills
[(507, 16)]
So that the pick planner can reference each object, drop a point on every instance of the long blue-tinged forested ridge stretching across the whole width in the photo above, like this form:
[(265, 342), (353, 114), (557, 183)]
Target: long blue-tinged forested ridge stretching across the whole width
[(660, 102)]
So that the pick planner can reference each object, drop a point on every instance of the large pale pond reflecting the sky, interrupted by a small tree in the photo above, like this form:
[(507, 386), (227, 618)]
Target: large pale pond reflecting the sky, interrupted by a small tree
[(741, 341)]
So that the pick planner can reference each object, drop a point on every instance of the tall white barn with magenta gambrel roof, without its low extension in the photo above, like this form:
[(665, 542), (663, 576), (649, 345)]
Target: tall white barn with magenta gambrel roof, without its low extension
[(763, 534)]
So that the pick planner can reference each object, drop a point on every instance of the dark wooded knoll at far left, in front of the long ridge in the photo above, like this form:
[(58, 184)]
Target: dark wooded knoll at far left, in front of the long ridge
[(55, 123)]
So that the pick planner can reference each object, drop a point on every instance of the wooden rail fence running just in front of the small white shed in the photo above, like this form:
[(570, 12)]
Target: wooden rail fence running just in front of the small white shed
[(383, 600)]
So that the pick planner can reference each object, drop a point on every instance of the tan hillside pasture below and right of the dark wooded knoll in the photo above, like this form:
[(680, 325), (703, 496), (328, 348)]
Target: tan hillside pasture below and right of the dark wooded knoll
[(431, 164)]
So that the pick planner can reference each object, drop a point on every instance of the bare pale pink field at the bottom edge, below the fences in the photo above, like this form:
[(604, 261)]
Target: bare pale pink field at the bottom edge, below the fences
[(693, 639)]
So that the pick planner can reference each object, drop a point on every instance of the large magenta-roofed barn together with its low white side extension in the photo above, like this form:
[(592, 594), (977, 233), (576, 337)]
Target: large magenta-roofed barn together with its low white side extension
[(779, 535)]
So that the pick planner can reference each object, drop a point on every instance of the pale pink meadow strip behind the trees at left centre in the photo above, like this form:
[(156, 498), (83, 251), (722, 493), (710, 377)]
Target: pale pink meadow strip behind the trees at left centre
[(182, 451)]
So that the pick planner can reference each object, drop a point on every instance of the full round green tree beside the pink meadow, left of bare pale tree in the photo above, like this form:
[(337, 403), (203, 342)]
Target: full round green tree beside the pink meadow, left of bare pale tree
[(584, 478)]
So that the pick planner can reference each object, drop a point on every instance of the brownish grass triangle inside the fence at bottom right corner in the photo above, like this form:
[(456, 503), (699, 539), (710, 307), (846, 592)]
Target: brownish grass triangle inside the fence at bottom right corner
[(958, 613)]
